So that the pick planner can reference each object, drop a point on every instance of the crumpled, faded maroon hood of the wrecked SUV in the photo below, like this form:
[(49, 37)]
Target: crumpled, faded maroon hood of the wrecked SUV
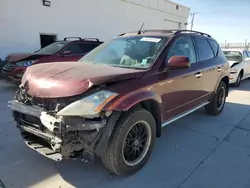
[(64, 79)]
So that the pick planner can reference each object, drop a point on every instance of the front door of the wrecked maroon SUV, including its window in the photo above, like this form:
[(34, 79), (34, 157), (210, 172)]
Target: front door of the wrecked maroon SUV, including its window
[(183, 88)]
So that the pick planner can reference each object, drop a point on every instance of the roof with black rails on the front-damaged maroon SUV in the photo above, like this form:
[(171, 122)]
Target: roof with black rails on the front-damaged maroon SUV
[(161, 32)]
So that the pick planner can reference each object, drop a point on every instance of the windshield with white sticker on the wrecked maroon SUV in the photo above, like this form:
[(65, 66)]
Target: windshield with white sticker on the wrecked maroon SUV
[(129, 52)]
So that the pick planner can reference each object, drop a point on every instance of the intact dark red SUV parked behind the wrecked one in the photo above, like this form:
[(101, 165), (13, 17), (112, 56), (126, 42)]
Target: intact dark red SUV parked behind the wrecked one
[(66, 50)]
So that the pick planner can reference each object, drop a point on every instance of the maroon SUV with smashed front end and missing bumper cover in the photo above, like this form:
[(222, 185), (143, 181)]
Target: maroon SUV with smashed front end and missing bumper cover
[(114, 101)]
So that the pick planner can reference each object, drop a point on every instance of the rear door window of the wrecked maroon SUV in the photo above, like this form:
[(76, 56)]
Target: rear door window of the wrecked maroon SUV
[(205, 52)]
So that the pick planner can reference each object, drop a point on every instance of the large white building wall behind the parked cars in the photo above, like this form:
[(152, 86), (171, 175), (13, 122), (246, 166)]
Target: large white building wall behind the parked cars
[(22, 22)]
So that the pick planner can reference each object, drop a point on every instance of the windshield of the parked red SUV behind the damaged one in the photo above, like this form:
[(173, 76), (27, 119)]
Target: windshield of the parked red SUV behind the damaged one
[(52, 48)]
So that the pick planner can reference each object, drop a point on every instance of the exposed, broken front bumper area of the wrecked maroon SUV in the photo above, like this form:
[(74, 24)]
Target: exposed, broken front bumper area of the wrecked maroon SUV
[(62, 137)]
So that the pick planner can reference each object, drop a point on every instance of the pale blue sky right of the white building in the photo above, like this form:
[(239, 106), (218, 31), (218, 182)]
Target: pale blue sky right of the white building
[(223, 19)]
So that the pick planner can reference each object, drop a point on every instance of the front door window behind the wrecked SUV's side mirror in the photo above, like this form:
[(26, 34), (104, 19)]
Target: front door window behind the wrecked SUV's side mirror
[(183, 46)]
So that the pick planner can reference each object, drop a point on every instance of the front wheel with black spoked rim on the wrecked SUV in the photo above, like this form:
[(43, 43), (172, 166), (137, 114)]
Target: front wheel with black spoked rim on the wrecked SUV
[(131, 142)]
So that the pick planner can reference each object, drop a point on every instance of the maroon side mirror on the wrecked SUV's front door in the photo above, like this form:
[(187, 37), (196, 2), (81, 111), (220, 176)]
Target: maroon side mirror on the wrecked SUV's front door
[(178, 62)]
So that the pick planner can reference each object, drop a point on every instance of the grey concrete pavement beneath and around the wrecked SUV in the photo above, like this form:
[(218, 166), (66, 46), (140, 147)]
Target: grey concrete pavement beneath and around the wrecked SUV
[(198, 151)]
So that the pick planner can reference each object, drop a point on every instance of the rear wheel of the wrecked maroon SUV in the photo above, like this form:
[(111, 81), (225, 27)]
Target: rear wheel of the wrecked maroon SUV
[(216, 106)]
